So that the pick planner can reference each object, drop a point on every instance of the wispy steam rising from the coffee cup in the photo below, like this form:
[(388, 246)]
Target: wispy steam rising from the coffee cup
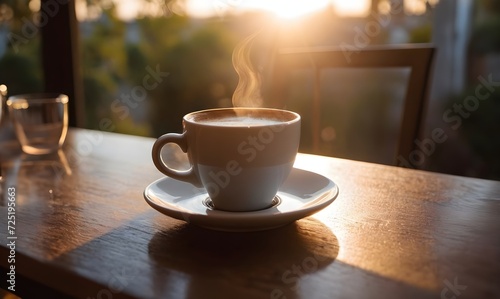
[(247, 93)]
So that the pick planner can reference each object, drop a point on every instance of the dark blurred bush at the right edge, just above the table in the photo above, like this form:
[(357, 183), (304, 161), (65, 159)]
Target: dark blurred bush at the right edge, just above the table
[(473, 141)]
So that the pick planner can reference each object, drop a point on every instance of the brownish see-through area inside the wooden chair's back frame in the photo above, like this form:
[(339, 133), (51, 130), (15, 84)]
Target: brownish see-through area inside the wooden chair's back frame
[(360, 111)]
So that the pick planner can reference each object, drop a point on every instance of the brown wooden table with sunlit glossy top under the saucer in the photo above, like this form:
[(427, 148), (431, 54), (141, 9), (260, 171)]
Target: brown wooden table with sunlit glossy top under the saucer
[(84, 230)]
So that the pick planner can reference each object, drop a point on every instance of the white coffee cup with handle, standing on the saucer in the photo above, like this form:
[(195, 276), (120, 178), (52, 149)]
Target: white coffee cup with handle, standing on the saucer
[(241, 156)]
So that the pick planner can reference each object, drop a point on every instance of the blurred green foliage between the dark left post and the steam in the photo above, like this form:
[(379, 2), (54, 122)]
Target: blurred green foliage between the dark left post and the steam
[(117, 56)]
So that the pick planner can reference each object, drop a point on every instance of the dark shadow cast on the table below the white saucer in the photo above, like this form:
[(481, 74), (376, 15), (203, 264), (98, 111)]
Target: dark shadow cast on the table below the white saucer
[(240, 265)]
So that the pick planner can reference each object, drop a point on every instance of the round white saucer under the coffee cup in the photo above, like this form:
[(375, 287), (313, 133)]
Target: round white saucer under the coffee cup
[(303, 194)]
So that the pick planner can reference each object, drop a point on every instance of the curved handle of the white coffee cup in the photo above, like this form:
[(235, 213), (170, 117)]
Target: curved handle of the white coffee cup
[(181, 175)]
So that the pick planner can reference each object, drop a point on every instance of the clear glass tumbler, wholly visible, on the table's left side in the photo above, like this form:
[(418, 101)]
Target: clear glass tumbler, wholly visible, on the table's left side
[(40, 121)]
